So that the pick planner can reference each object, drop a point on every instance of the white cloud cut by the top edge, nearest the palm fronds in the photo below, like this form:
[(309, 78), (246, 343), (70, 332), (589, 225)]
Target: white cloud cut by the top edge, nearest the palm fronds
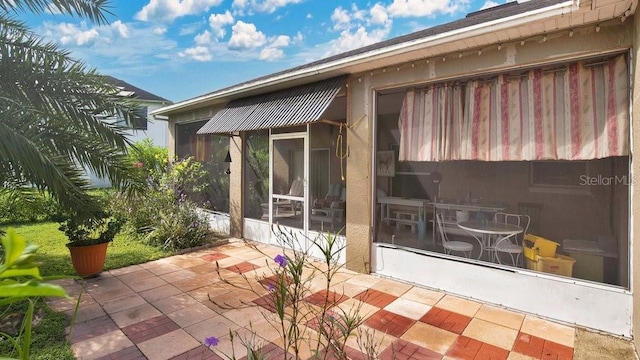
[(169, 10)]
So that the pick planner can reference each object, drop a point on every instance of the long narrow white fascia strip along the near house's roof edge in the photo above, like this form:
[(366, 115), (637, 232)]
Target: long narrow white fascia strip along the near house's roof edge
[(222, 96)]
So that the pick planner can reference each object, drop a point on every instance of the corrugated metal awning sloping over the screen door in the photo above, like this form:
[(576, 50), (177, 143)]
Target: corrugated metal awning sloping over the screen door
[(290, 107)]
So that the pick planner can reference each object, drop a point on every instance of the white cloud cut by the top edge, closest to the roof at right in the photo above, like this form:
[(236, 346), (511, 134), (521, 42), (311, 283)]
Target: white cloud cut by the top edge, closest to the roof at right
[(415, 8)]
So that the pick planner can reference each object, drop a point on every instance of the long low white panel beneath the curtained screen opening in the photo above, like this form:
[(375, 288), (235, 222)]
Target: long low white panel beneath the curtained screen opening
[(591, 306)]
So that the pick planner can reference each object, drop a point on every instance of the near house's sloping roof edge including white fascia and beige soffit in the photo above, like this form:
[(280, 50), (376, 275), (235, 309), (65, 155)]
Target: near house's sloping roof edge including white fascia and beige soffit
[(485, 23)]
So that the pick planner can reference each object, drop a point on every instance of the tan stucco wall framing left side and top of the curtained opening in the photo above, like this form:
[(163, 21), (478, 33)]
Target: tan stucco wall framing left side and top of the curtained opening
[(558, 47)]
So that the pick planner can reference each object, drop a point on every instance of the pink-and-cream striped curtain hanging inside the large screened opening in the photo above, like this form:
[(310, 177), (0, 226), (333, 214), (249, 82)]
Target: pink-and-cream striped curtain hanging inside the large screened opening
[(577, 112)]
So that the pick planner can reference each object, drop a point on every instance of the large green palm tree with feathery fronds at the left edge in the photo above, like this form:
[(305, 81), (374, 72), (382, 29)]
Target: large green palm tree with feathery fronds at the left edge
[(49, 109)]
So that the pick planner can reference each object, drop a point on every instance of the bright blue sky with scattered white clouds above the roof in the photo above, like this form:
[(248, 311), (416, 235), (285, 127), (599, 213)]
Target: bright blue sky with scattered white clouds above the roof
[(179, 49)]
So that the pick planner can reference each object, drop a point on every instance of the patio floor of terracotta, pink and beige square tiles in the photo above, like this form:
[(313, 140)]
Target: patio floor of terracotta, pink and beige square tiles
[(164, 309)]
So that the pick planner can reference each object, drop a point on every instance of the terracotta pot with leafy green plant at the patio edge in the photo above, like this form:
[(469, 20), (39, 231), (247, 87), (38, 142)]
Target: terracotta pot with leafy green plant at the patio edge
[(88, 241)]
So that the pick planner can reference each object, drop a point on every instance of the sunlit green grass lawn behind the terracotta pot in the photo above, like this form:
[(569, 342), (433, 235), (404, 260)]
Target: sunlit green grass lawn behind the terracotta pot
[(54, 257)]
